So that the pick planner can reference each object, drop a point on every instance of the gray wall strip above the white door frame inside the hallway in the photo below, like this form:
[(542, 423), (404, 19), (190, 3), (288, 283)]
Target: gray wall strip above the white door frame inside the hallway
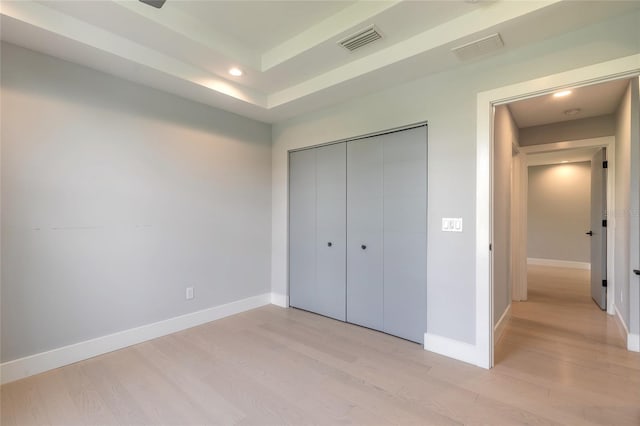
[(593, 127)]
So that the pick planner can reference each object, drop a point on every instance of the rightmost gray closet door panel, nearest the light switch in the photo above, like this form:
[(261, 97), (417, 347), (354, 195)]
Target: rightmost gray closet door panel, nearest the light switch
[(405, 233)]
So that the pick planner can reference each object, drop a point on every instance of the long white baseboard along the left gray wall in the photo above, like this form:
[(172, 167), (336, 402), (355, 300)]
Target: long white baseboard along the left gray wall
[(38, 363)]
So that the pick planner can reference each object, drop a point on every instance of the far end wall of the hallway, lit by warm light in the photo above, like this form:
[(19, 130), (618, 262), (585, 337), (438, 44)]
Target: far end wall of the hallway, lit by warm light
[(558, 208)]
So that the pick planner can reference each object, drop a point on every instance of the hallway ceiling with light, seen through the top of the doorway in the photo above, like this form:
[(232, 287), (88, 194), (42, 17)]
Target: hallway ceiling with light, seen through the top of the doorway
[(586, 101)]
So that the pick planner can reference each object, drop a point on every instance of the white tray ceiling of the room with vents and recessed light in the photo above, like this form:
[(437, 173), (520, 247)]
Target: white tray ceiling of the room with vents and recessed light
[(287, 49)]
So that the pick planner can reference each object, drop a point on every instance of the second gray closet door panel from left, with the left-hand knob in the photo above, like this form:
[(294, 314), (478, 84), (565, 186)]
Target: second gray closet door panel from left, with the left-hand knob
[(331, 178)]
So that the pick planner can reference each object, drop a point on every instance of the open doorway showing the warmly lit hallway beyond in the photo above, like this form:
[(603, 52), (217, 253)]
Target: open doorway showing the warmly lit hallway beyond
[(543, 148)]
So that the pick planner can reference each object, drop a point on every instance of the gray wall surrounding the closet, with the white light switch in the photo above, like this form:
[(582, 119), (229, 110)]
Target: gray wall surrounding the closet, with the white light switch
[(448, 101)]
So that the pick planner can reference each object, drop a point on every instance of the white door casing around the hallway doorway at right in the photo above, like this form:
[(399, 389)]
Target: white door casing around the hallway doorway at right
[(481, 353)]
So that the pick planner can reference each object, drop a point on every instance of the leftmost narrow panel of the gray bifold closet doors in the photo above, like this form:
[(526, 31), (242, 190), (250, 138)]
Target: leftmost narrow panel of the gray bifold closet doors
[(302, 229)]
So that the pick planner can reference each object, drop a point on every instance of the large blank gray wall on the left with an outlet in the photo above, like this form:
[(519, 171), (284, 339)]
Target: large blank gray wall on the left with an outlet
[(115, 198)]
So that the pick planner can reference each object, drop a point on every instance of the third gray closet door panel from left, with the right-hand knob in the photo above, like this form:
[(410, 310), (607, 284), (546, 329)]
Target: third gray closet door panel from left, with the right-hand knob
[(364, 232)]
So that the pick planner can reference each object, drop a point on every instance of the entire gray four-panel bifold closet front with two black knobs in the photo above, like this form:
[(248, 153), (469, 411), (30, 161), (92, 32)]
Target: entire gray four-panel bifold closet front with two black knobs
[(357, 231)]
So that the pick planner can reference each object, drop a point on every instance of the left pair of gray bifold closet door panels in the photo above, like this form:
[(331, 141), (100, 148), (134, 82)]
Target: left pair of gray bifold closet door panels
[(317, 240)]
